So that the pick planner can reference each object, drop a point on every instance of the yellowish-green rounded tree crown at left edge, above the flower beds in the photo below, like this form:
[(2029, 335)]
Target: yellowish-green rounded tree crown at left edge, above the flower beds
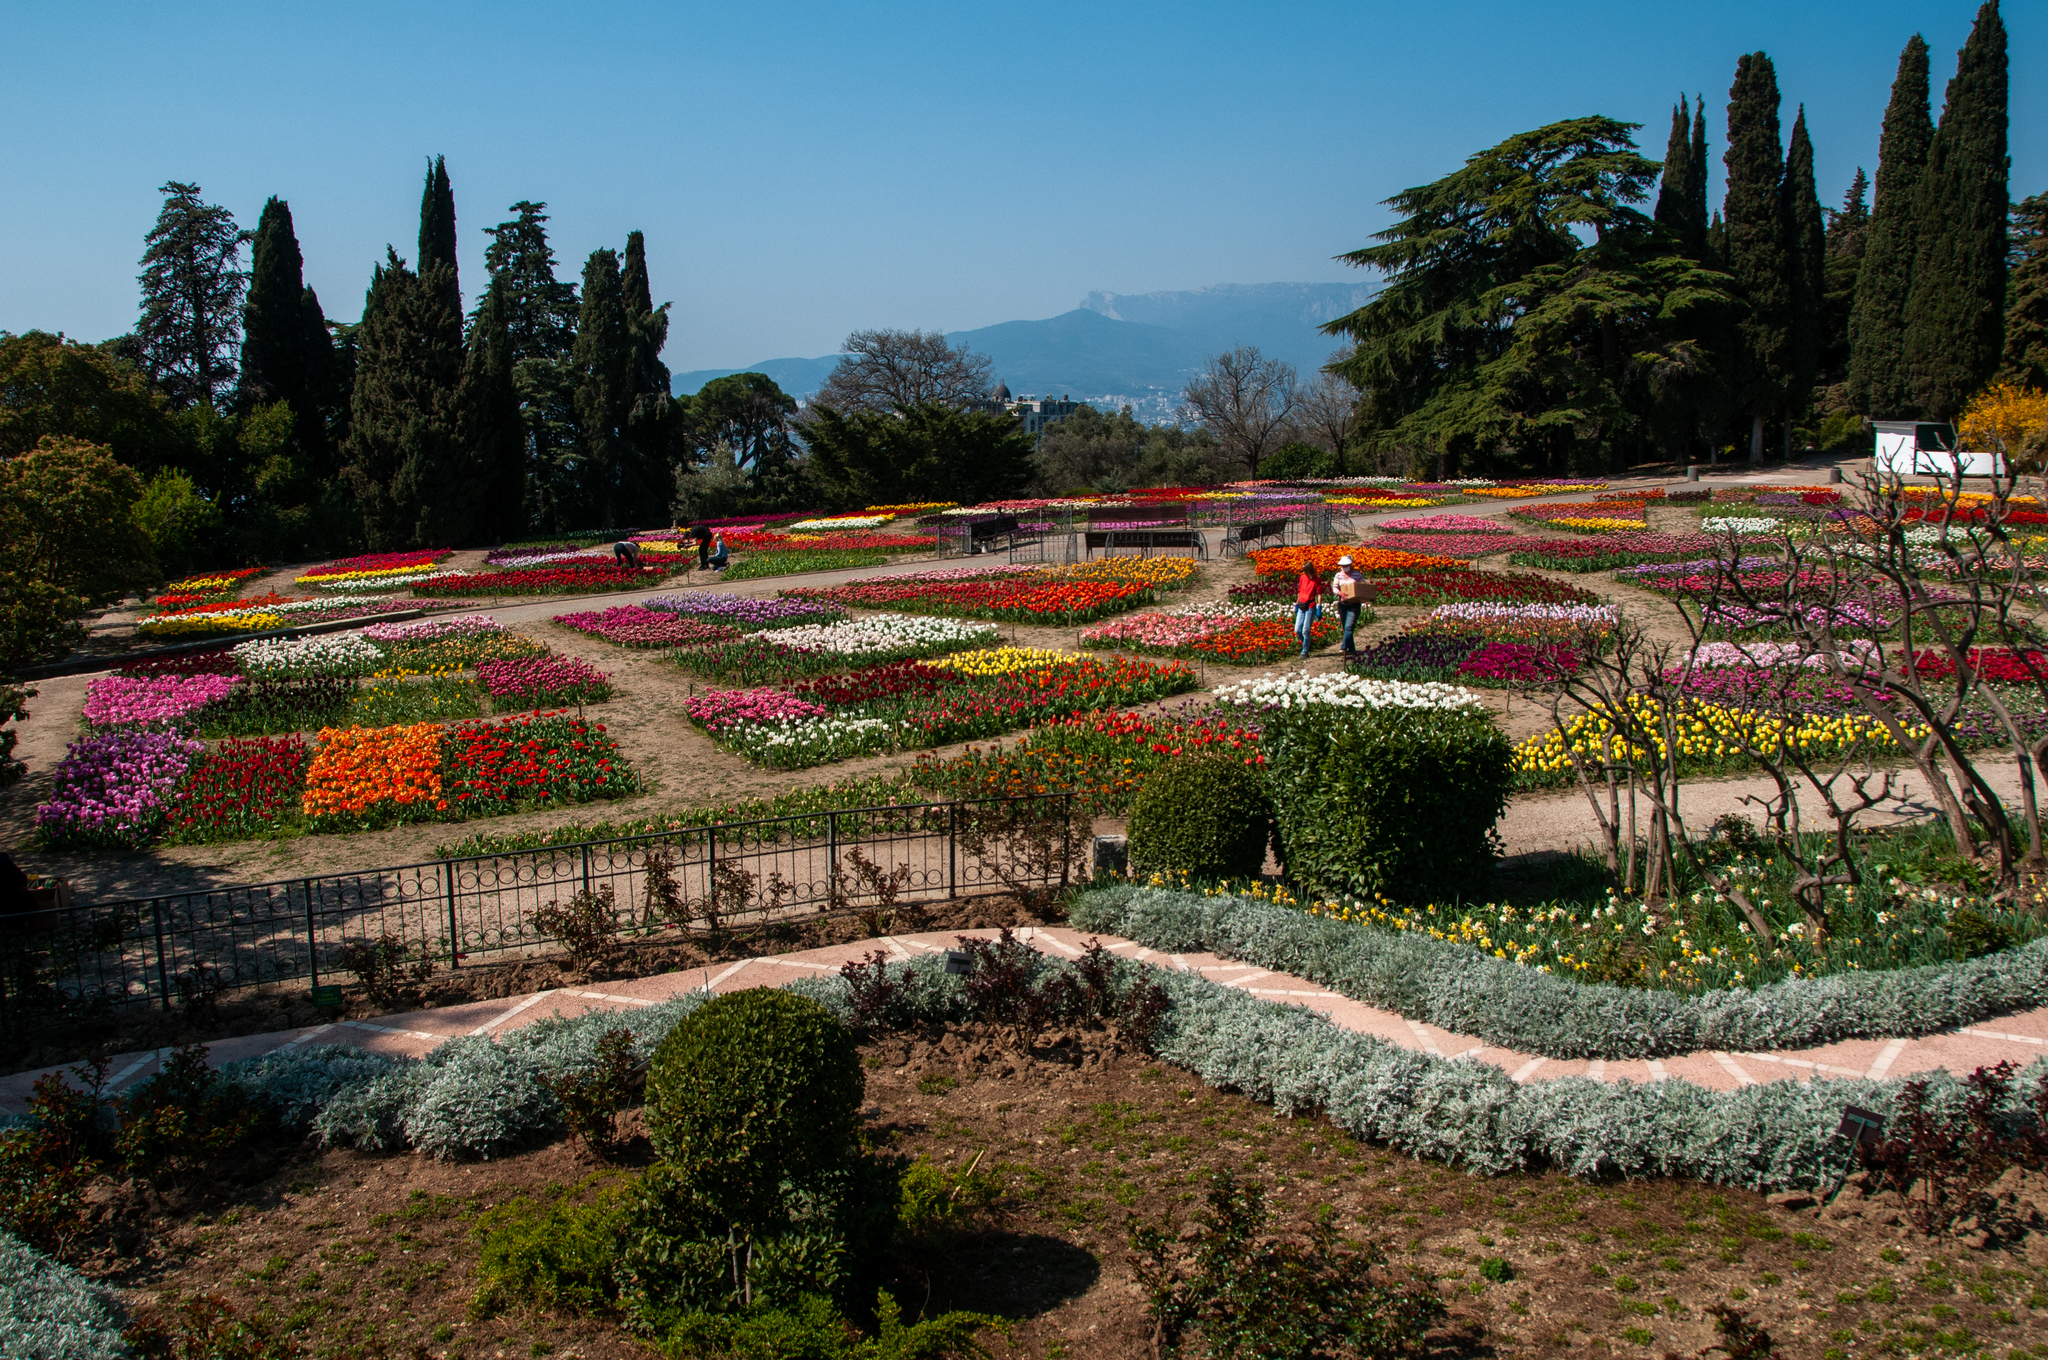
[(69, 542)]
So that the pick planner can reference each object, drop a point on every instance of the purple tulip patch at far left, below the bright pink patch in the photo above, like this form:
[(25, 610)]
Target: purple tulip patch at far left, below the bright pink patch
[(116, 790)]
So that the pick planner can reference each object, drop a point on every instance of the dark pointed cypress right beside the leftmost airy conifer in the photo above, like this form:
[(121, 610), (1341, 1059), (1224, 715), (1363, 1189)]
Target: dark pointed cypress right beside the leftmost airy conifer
[(288, 353)]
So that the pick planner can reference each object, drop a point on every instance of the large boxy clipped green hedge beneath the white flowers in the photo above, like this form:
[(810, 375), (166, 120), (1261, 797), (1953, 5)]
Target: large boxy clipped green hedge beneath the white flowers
[(1396, 802)]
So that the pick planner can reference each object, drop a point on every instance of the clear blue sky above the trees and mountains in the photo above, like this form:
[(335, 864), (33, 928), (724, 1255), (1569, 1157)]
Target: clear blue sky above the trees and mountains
[(808, 169)]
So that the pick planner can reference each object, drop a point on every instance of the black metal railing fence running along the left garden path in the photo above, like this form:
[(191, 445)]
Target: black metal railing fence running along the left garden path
[(689, 882)]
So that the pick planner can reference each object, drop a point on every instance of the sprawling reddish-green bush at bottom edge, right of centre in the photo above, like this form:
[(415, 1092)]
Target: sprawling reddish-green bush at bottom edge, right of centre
[(1267, 1298)]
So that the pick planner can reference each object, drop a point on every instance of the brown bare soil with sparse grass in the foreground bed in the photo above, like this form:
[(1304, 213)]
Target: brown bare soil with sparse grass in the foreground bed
[(376, 1255)]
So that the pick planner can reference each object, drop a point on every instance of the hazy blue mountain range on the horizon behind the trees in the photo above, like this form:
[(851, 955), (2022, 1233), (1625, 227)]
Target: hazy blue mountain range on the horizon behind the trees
[(1125, 349)]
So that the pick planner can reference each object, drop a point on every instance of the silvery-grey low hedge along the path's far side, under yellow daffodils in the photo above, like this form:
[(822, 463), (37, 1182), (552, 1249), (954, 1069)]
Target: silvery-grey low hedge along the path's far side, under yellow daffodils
[(1512, 1007)]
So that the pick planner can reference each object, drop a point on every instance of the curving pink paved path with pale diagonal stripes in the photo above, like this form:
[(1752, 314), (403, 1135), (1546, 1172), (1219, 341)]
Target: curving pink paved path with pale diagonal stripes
[(2020, 1037)]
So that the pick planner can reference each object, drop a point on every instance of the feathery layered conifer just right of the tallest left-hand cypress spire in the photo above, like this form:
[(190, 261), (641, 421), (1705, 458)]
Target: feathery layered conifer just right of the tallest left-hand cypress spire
[(542, 325)]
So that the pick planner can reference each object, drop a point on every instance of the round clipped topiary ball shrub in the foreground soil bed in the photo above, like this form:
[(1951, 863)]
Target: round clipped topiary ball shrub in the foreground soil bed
[(755, 1089)]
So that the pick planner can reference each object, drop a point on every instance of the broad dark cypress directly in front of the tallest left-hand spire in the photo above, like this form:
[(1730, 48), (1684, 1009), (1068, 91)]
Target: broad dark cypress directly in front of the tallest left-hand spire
[(407, 464)]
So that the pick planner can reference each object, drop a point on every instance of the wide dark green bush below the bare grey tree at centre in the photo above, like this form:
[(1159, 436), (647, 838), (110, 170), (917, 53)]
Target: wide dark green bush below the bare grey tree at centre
[(931, 452)]
